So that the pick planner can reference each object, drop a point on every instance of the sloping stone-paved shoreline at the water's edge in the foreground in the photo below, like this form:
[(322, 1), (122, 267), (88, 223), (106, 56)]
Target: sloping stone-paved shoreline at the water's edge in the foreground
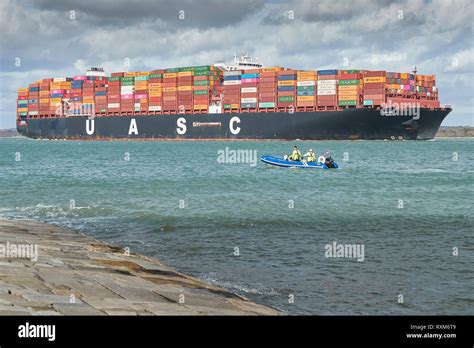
[(49, 270)]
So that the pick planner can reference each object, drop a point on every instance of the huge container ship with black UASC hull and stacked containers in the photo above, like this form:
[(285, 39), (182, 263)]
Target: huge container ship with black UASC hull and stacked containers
[(240, 100)]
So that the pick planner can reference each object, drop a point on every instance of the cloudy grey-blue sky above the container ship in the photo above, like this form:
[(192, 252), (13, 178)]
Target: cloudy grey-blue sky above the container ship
[(52, 38)]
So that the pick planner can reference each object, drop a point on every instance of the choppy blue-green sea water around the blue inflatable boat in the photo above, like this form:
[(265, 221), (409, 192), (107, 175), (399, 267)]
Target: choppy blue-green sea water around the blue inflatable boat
[(389, 232)]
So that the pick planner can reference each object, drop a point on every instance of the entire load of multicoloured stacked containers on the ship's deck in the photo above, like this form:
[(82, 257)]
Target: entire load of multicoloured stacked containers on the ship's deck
[(192, 89)]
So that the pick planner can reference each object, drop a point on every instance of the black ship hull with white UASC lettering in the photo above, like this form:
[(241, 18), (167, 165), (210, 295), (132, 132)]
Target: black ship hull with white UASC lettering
[(352, 124)]
